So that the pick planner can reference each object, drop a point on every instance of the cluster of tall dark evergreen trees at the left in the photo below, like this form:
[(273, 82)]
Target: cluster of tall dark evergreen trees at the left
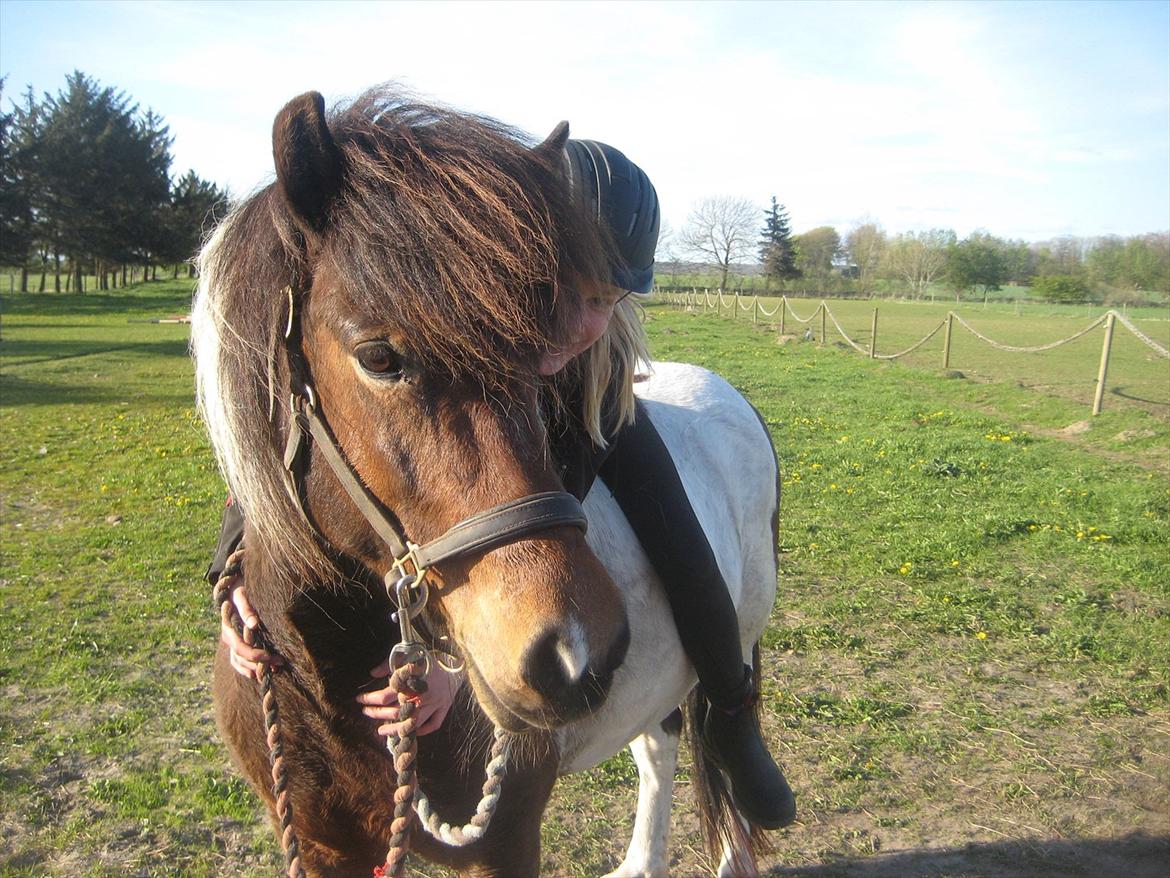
[(86, 189)]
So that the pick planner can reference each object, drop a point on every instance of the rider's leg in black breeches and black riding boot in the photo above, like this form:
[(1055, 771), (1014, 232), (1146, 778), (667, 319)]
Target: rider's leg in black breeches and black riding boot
[(644, 481)]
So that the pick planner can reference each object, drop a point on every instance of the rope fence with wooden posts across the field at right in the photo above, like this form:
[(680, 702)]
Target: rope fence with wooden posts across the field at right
[(738, 304)]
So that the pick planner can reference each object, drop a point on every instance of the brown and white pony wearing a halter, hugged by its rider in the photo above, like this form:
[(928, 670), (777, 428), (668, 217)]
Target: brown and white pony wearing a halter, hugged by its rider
[(422, 260)]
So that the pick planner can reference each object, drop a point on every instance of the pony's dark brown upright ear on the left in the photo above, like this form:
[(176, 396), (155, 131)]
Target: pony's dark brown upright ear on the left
[(308, 162)]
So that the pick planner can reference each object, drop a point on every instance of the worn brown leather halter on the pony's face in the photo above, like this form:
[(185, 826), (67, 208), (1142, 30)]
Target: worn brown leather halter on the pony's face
[(483, 532)]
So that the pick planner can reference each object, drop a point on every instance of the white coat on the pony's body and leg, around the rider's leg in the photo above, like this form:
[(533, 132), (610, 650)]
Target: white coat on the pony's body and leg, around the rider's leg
[(727, 467)]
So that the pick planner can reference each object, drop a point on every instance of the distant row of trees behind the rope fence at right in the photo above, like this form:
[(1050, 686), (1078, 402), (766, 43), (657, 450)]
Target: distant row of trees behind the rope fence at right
[(727, 232)]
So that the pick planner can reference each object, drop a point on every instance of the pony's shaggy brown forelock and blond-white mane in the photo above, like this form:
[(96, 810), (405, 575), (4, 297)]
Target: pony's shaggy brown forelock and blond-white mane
[(449, 224)]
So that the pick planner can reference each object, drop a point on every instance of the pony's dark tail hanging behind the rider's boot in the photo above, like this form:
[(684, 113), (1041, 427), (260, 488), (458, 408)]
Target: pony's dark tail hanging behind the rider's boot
[(724, 827)]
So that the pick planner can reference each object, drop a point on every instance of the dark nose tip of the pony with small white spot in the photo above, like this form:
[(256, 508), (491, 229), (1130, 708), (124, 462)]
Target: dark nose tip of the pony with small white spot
[(559, 667)]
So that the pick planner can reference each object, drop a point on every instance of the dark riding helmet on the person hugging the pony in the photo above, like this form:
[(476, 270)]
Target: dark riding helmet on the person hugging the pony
[(624, 198)]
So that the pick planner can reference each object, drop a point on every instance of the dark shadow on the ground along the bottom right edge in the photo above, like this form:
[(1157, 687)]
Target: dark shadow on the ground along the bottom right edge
[(1133, 856)]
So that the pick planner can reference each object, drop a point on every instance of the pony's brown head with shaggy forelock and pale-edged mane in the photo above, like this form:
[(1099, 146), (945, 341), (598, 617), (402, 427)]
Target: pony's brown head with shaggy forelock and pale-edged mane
[(412, 264)]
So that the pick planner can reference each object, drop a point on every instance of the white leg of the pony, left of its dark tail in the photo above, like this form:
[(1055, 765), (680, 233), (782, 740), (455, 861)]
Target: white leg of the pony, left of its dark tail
[(657, 756)]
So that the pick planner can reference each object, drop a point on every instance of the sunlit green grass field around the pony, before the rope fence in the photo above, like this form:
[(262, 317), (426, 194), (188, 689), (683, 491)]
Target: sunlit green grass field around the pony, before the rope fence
[(968, 671)]
